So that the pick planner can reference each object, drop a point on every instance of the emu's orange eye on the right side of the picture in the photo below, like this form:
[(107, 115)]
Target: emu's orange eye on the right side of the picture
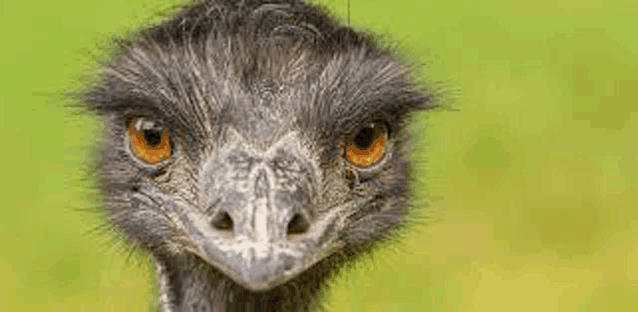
[(368, 146)]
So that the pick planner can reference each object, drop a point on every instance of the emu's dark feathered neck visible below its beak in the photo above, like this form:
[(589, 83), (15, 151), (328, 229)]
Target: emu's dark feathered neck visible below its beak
[(189, 284)]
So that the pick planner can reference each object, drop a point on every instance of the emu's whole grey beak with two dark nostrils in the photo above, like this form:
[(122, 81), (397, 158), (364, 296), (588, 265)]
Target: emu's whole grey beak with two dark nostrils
[(256, 224)]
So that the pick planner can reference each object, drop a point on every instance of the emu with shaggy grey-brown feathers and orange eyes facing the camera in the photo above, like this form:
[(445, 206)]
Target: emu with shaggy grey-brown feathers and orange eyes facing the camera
[(253, 148)]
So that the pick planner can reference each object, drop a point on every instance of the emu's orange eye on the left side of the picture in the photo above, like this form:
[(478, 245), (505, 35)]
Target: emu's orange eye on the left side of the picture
[(150, 140)]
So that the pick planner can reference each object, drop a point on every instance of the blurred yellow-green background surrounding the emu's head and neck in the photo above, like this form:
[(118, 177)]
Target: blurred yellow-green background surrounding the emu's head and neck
[(532, 182)]
